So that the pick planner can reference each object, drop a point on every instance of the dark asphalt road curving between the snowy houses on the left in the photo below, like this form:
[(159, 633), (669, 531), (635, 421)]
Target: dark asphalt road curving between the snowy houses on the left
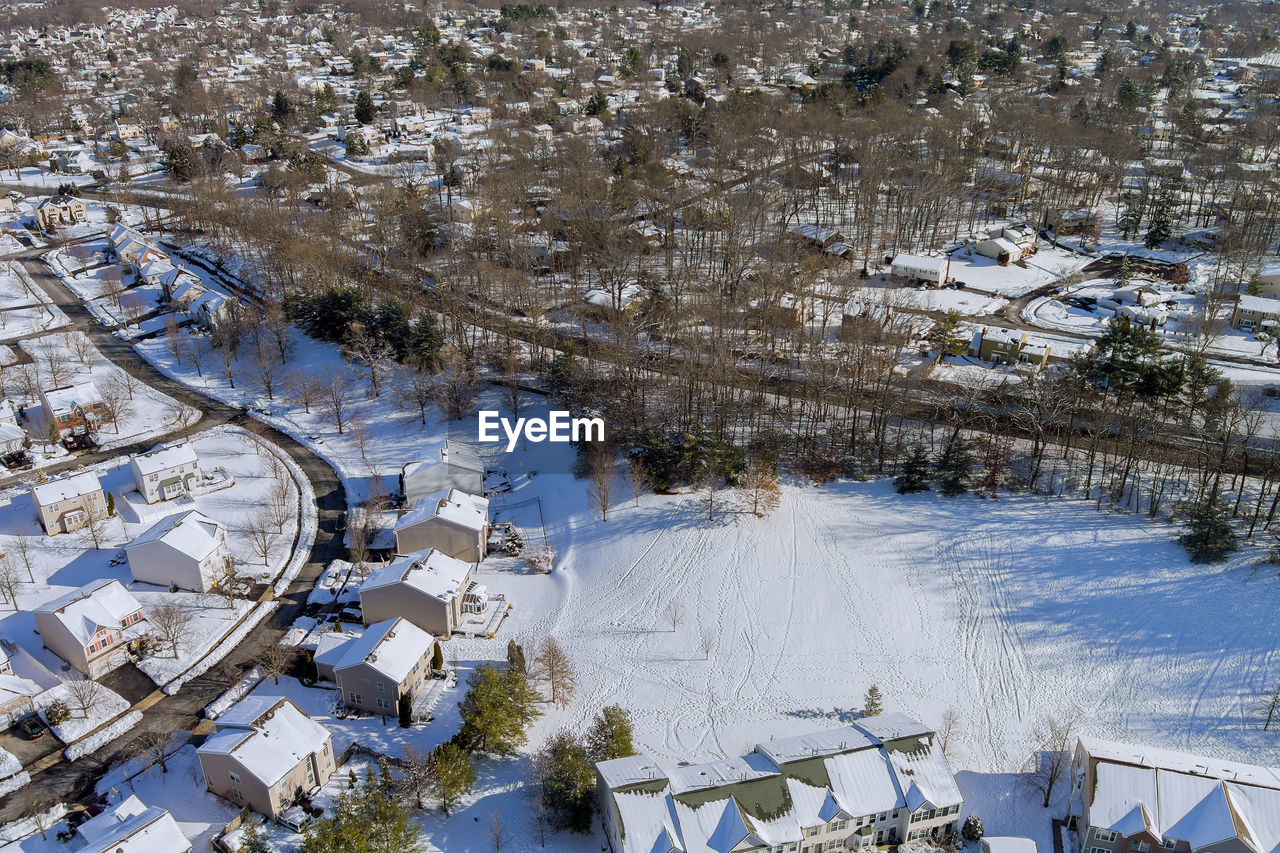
[(67, 782)]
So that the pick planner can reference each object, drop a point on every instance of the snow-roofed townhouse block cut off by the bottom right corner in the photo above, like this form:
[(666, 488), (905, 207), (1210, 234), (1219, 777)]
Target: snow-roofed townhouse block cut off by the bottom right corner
[(1127, 797)]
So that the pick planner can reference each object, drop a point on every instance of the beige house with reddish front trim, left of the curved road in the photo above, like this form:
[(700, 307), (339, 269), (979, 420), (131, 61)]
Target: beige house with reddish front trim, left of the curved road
[(89, 628)]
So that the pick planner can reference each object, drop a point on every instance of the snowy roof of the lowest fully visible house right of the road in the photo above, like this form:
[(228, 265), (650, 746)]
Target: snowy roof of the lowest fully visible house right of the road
[(269, 737)]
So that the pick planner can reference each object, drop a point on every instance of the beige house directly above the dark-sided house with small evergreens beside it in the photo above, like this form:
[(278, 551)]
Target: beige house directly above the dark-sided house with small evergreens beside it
[(433, 591)]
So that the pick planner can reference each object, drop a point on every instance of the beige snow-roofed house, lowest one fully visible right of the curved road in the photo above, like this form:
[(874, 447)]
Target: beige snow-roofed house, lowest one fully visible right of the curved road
[(263, 752)]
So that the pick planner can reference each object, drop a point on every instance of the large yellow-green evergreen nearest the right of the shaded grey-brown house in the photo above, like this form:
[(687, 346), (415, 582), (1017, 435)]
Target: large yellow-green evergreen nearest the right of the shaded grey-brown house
[(497, 710)]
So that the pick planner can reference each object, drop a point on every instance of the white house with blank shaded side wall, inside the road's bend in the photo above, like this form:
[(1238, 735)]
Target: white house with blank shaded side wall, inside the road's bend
[(186, 550)]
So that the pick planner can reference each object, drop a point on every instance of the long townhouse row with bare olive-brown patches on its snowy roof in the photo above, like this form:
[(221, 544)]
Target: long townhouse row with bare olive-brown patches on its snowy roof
[(883, 781)]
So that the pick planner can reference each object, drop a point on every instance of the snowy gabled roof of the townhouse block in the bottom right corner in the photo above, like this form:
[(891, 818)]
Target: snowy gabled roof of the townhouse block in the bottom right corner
[(1183, 797)]
